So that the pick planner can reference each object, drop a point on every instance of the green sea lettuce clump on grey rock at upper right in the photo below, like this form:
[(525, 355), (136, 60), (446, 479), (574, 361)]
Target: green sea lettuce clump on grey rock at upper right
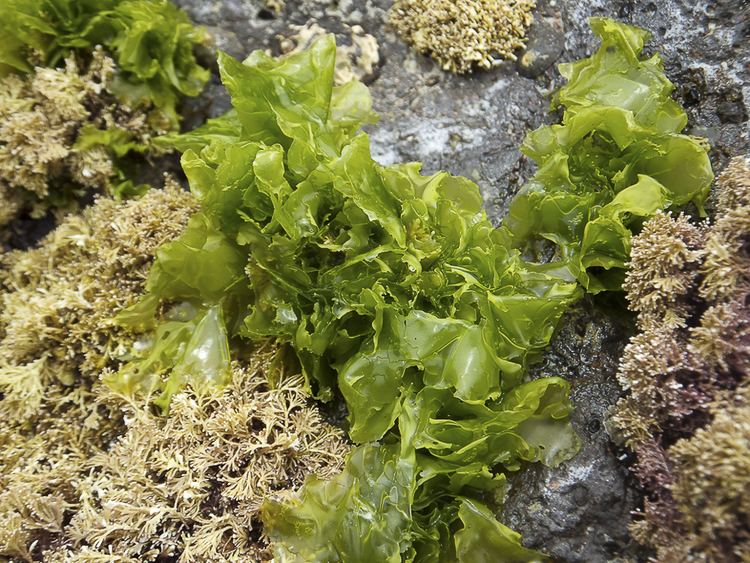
[(620, 133)]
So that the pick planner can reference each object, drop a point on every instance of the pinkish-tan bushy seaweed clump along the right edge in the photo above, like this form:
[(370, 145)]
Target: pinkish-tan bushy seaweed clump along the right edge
[(687, 414)]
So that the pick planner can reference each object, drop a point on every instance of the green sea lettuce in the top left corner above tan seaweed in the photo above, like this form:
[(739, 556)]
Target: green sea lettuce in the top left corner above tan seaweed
[(151, 41)]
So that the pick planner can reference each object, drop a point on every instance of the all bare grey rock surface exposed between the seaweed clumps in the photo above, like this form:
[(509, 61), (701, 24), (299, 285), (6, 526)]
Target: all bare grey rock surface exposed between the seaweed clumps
[(472, 126)]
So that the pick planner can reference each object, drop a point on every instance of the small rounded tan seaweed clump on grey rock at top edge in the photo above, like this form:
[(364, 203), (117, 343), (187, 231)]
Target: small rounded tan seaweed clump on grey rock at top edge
[(462, 35)]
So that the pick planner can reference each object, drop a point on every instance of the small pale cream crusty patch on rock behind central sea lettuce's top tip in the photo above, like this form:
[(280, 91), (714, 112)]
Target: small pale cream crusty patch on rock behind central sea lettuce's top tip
[(356, 60)]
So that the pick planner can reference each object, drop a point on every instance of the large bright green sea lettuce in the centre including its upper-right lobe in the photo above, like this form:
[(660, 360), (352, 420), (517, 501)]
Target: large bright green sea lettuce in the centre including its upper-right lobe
[(394, 288)]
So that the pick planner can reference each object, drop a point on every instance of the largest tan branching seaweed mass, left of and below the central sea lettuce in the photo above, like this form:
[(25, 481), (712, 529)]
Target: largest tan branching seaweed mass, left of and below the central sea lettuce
[(85, 473)]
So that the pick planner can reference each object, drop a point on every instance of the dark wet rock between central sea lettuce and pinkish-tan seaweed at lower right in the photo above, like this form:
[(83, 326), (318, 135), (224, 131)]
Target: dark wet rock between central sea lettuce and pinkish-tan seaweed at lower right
[(580, 510)]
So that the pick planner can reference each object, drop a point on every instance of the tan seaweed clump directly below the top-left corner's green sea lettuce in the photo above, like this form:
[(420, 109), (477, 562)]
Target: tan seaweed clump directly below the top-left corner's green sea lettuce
[(43, 117)]
